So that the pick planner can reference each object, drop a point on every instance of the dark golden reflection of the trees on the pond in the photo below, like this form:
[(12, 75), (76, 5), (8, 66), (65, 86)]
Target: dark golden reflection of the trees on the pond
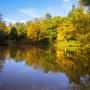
[(74, 64)]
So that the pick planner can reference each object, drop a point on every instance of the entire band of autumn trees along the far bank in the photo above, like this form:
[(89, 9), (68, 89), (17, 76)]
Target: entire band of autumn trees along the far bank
[(73, 28)]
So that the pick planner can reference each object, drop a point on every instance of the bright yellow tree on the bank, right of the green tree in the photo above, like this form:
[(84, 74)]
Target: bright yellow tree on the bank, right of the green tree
[(66, 30)]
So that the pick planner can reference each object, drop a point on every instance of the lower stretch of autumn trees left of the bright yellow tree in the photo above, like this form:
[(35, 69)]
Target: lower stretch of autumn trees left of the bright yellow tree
[(39, 30)]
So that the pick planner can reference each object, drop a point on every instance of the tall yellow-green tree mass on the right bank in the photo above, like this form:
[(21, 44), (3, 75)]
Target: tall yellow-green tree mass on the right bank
[(76, 26)]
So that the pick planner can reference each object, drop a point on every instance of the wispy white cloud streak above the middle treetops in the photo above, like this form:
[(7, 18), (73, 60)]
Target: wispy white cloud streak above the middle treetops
[(34, 12)]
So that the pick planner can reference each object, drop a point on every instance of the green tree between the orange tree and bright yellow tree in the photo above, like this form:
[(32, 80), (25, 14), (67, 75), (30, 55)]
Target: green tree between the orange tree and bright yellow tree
[(49, 28)]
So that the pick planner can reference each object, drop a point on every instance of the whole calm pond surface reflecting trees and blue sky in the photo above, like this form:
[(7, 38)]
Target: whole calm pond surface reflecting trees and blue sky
[(44, 68)]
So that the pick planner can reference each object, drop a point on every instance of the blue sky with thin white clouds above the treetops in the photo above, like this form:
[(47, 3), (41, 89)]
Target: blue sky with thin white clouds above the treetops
[(25, 10)]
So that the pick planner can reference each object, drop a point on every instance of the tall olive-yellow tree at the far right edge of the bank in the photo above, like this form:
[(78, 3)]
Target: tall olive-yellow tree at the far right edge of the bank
[(81, 21)]
